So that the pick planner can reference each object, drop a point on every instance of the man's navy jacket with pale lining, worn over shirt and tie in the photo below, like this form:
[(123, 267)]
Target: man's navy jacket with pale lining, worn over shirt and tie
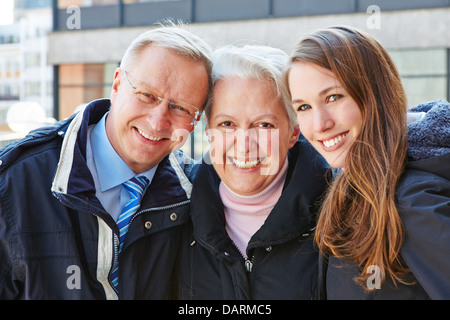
[(56, 239)]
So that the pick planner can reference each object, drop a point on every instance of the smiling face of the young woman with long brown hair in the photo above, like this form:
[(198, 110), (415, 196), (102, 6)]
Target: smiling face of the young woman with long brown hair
[(328, 116)]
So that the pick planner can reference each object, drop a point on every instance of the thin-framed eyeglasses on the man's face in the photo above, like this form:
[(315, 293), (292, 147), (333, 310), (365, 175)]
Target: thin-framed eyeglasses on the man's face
[(182, 111)]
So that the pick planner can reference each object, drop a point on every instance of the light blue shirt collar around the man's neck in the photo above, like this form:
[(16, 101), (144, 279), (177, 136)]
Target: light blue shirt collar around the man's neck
[(111, 169)]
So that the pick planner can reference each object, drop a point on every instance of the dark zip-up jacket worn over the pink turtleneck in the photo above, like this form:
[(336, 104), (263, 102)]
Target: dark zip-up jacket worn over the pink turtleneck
[(283, 261)]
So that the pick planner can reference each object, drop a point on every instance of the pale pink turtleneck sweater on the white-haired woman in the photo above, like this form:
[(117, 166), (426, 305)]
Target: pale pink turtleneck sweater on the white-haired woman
[(245, 215)]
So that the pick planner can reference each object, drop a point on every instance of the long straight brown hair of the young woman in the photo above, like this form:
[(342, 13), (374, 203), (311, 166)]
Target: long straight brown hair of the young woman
[(359, 220)]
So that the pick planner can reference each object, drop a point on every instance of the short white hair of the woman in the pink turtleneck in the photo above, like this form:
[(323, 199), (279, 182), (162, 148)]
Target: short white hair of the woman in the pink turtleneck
[(253, 62)]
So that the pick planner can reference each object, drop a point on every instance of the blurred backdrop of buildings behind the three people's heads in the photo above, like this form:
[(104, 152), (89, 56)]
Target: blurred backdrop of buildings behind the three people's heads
[(63, 53)]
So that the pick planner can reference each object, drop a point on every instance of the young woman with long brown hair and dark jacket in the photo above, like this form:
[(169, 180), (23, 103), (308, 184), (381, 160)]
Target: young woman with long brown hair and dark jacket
[(384, 226)]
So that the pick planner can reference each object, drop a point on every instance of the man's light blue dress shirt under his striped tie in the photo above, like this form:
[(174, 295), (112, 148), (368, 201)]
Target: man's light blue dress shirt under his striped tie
[(109, 170)]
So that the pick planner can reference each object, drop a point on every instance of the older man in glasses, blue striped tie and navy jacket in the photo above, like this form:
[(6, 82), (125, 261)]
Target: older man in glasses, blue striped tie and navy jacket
[(72, 222)]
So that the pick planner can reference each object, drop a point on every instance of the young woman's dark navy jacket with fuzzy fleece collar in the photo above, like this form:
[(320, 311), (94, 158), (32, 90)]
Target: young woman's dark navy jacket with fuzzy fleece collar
[(423, 197)]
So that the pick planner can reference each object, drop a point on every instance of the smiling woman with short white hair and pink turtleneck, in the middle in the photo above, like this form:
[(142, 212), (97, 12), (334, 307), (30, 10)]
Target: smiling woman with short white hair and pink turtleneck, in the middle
[(253, 209)]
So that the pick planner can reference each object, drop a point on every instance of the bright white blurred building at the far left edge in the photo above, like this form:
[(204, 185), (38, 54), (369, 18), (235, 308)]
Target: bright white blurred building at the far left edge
[(25, 74)]
